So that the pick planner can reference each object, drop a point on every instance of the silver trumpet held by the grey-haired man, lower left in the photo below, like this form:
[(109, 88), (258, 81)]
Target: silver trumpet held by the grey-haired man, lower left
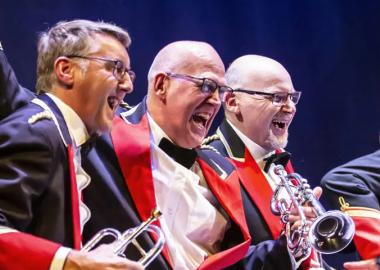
[(122, 240)]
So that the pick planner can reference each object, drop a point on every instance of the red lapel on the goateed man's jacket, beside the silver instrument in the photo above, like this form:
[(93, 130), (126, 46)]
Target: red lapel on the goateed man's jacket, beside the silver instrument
[(259, 190)]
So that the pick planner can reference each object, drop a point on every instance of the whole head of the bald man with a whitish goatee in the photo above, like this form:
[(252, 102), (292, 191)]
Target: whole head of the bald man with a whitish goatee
[(255, 114)]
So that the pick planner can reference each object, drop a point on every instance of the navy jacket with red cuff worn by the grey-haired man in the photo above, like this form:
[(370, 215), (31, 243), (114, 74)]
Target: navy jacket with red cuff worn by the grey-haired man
[(38, 196)]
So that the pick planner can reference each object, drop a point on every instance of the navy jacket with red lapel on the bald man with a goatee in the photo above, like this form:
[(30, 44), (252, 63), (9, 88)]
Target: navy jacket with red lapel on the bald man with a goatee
[(264, 227)]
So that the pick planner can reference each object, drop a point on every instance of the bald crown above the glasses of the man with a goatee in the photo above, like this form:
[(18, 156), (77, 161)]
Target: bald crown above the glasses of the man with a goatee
[(257, 71)]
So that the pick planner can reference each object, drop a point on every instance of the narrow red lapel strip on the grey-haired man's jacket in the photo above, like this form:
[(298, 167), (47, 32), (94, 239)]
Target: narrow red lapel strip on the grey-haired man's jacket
[(74, 199)]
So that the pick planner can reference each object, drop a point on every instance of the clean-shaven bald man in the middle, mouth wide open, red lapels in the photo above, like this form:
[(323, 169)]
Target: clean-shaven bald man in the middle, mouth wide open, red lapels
[(150, 160)]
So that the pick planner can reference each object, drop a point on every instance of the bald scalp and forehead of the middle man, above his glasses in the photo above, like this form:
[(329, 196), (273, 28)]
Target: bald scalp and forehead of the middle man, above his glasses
[(185, 55)]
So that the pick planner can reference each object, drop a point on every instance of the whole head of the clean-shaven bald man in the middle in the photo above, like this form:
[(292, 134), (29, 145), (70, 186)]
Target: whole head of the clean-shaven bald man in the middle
[(179, 96)]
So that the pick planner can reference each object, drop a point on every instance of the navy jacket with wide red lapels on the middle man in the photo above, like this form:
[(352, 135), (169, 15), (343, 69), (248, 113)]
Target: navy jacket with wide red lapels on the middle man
[(121, 169)]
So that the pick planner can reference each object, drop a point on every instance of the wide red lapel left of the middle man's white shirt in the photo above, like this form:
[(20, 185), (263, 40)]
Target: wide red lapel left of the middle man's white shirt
[(132, 148)]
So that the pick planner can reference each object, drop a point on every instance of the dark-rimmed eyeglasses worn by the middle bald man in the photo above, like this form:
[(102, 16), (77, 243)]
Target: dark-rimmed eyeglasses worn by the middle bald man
[(206, 85)]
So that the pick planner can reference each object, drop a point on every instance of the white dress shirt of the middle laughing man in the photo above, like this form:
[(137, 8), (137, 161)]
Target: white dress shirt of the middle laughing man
[(191, 223)]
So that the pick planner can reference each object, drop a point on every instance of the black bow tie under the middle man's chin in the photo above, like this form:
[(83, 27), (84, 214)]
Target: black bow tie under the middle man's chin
[(183, 156)]
